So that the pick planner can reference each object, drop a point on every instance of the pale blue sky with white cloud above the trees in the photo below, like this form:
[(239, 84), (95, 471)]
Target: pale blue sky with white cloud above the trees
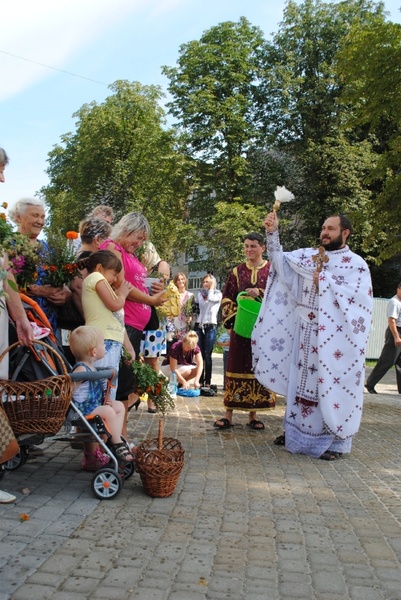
[(56, 56)]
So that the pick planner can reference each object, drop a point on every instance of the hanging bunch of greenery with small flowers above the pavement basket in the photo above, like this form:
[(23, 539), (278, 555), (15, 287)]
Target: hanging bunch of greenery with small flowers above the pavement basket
[(150, 382)]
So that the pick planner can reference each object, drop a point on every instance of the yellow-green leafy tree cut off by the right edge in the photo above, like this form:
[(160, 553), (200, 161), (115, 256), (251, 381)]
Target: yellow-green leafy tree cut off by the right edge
[(370, 66)]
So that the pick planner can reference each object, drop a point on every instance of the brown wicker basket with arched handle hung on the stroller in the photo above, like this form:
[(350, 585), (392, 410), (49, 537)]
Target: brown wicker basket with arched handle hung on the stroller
[(37, 406)]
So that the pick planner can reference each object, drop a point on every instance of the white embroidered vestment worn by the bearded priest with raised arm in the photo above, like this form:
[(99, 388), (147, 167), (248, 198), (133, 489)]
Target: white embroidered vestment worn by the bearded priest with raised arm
[(310, 346)]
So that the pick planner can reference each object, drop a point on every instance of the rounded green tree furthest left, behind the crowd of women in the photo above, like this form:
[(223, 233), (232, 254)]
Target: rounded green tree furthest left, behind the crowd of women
[(121, 154)]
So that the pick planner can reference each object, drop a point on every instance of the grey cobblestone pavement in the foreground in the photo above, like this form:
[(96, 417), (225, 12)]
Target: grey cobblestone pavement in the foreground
[(247, 521)]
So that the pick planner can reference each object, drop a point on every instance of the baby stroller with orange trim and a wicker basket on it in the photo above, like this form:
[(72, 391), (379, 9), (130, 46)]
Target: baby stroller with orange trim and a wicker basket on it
[(37, 399)]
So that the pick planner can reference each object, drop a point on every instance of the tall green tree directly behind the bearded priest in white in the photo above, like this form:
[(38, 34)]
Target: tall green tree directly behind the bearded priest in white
[(305, 118)]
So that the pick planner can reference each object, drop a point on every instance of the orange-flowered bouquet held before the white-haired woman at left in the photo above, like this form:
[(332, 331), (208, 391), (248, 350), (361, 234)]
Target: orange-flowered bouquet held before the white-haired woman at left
[(59, 264)]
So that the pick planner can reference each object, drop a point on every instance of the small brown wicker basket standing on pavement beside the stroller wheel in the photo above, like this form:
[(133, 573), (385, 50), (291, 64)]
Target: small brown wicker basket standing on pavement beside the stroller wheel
[(159, 462)]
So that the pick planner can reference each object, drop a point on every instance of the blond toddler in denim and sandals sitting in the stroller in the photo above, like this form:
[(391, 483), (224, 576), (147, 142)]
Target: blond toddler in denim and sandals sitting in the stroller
[(87, 345)]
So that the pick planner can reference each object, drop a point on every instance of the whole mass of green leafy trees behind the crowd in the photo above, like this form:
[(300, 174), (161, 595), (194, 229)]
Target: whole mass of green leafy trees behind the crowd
[(316, 108)]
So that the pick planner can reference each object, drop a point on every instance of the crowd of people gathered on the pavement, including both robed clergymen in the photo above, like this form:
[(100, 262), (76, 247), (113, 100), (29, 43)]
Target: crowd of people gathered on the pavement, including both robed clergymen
[(308, 343)]
